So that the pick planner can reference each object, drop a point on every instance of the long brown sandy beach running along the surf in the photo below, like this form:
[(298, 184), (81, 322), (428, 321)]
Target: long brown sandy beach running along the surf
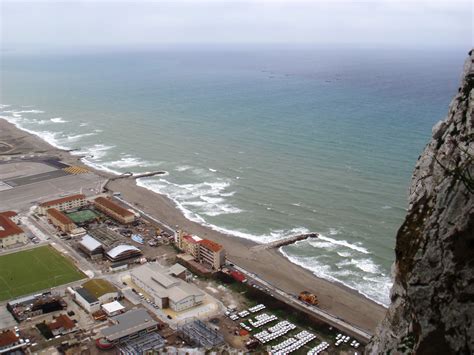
[(271, 265)]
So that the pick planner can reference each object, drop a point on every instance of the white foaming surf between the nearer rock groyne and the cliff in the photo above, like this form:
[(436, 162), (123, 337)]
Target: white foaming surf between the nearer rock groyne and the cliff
[(374, 287)]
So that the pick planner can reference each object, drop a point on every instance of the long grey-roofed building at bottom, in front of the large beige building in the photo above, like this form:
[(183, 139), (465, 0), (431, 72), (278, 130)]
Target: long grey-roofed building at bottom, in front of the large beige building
[(129, 325)]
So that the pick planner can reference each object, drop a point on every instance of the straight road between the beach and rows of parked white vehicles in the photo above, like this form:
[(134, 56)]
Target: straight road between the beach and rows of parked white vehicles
[(320, 314)]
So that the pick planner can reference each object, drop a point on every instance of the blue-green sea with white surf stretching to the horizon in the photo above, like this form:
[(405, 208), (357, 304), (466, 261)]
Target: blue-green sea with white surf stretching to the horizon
[(259, 143)]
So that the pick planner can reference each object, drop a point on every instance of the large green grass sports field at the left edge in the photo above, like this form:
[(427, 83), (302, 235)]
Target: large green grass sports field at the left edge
[(33, 270)]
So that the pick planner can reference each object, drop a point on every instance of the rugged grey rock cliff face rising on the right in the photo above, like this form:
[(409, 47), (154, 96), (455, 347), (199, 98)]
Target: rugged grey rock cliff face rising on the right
[(432, 299)]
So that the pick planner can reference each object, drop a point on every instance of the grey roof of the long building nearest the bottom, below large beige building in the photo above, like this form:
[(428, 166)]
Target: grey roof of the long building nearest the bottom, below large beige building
[(128, 323)]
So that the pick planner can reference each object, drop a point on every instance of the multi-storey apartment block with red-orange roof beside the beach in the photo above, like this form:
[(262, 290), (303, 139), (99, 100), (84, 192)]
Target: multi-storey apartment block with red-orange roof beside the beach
[(204, 251)]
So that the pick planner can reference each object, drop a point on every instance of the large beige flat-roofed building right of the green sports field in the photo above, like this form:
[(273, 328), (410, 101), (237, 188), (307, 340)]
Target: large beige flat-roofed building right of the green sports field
[(166, 290)]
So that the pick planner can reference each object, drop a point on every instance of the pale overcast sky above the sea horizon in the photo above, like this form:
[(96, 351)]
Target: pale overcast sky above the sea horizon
[(140, 23)]
